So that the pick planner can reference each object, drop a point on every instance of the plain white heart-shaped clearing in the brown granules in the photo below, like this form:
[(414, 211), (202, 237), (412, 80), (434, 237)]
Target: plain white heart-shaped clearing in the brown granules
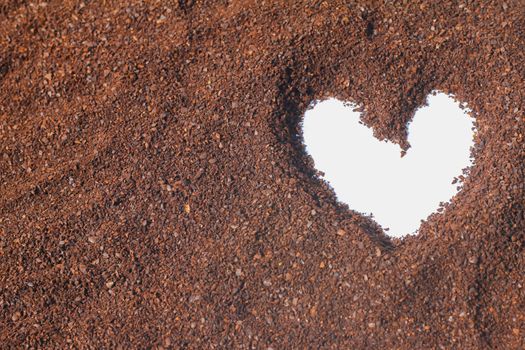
[(372, 177)]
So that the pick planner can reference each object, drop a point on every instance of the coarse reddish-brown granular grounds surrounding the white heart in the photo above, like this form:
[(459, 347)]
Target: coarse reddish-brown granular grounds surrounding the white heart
[(154, 191)]
